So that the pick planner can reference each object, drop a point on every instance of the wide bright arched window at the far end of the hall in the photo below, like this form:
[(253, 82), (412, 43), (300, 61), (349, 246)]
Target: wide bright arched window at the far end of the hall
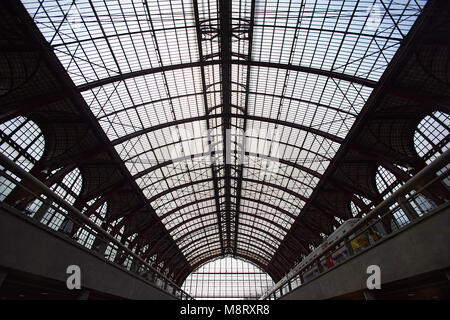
[(227, 278)]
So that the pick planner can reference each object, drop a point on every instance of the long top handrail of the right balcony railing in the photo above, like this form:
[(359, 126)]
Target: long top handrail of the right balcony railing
[(421, 177)]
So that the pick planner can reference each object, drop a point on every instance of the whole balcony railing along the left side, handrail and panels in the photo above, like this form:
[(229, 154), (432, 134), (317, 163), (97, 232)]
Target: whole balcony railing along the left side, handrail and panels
[(88, 233)]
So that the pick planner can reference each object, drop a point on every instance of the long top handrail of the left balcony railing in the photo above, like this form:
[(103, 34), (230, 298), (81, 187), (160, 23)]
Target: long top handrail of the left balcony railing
[(21, 173)]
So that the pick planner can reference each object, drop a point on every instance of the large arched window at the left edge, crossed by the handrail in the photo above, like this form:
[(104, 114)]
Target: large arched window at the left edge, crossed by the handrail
[(22, 141)]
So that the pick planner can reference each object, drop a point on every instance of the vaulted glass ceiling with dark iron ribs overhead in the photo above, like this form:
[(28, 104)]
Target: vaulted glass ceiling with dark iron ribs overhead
[(227, 113)]
